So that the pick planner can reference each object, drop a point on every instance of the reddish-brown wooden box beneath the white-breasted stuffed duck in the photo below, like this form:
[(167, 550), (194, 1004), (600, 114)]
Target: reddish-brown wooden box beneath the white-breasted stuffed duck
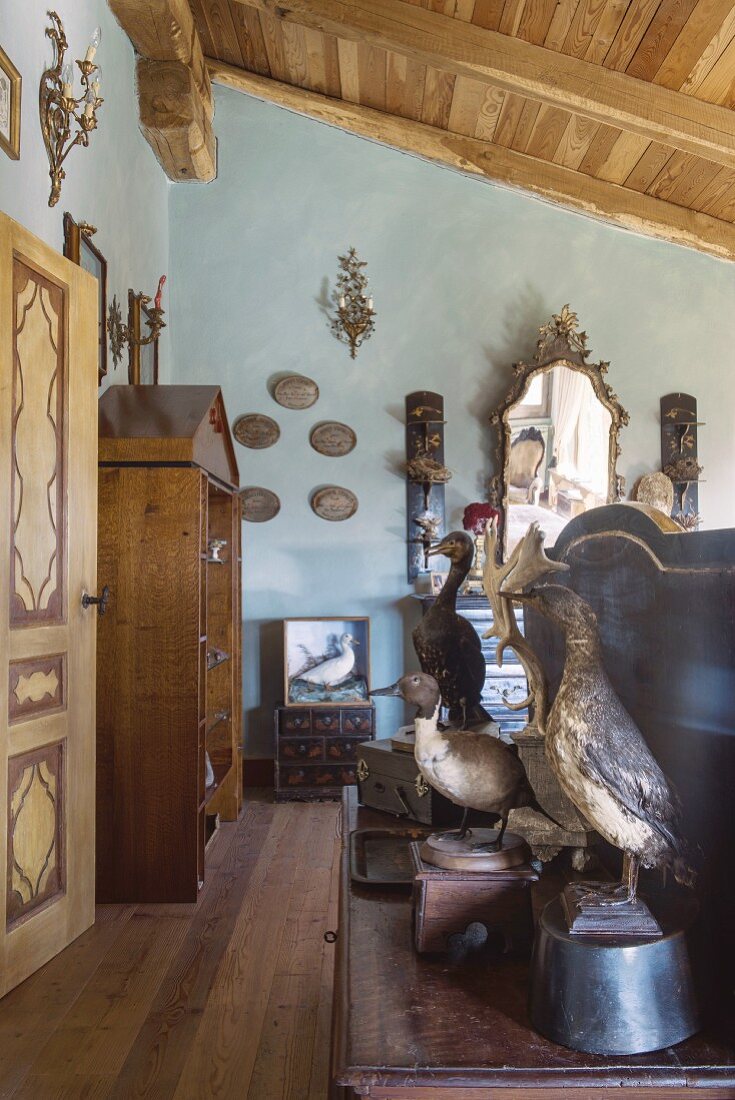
[(446, 904)]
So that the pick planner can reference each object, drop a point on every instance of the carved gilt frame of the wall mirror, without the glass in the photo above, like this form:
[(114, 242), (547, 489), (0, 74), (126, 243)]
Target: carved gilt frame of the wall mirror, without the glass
[(561, 344)]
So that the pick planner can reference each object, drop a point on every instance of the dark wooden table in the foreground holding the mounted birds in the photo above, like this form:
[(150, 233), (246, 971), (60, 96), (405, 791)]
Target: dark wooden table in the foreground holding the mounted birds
[(408, 1027)]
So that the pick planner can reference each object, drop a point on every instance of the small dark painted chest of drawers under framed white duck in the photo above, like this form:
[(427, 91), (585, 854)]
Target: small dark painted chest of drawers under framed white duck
[(317, 750)]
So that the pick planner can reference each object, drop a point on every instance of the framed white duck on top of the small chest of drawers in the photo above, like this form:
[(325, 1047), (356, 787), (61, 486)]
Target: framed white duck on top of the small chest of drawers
[(326, 662)]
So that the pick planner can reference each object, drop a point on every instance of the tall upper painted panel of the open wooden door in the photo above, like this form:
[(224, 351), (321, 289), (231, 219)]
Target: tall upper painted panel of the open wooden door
[(38, 529)]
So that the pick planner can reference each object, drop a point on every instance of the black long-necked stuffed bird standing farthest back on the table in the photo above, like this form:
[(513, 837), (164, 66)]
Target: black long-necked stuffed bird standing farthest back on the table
[(447, 646)]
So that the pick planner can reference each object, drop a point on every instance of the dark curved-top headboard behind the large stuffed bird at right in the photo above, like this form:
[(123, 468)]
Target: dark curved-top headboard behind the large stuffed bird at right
[(666, 607)]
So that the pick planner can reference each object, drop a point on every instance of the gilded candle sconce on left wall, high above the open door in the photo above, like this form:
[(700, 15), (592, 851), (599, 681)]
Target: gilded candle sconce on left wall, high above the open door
[(60, 111)]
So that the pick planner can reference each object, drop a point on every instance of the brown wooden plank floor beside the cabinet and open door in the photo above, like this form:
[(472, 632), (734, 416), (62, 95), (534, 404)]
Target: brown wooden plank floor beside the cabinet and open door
[(231, 998)]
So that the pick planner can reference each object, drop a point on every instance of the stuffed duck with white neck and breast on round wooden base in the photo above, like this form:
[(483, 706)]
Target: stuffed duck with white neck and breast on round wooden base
[(471, 769)]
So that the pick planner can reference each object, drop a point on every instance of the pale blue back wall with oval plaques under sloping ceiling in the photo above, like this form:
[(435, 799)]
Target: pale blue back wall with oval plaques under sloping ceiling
[(464, 273)]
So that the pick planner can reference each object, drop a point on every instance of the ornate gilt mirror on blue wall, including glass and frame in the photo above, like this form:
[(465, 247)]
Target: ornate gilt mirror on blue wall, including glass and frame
[(558, 436)]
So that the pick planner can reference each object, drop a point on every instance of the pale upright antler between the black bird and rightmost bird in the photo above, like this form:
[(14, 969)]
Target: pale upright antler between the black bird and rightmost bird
[(526, 565)]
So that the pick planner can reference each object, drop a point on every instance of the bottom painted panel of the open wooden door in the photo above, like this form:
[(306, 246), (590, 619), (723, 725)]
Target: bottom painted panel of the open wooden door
[(36, 831)]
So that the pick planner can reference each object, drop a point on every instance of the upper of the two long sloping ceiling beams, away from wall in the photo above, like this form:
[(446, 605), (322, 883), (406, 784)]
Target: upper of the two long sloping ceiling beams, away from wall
[(654, 113)]
